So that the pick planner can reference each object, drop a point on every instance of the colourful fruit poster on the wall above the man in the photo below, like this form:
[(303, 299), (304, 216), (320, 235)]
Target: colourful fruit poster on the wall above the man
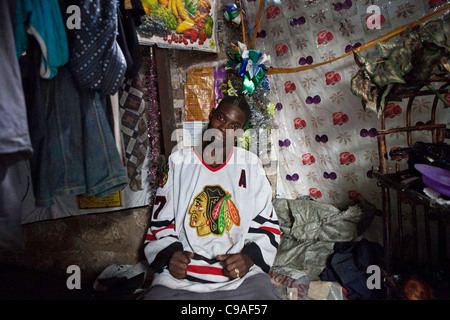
[(179, 24)]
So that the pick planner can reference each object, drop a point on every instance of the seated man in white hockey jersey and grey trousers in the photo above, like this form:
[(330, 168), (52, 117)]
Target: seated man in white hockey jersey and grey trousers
[(214, 233)]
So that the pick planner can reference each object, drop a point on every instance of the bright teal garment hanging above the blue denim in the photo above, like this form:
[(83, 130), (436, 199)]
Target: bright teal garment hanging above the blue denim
[(43, 20)]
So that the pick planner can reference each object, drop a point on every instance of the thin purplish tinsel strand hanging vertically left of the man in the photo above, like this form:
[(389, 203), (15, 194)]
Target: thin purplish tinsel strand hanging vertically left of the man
[(150, 82)]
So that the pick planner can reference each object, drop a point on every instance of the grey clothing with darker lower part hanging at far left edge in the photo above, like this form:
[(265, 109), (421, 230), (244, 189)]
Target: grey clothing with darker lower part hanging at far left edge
[(15, 143)]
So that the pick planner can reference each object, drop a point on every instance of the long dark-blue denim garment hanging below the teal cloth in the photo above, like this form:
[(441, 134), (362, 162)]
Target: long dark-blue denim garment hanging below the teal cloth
[(75, 151)]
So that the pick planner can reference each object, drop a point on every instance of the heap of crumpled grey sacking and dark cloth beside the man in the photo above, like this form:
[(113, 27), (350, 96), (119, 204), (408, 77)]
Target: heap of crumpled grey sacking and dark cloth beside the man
[(319, 245)]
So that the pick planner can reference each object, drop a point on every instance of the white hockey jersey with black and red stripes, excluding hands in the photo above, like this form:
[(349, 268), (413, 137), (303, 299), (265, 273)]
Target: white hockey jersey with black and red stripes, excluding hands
[(212, 211)]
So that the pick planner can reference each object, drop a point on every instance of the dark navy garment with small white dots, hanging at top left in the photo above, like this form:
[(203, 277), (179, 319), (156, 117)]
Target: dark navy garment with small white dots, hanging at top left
[(97, 62)]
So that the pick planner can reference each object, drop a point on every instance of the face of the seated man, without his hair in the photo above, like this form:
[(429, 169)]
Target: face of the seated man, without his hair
[(227, 118)]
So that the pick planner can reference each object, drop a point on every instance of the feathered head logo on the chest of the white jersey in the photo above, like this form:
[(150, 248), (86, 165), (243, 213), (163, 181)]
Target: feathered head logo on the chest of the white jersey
[(213, 212)]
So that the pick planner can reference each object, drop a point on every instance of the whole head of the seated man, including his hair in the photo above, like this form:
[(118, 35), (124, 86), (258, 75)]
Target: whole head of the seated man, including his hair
[(230, 115)]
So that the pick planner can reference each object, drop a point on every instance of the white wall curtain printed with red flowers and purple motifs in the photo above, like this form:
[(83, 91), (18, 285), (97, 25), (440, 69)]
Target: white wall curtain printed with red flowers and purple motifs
[(326, 143)]
